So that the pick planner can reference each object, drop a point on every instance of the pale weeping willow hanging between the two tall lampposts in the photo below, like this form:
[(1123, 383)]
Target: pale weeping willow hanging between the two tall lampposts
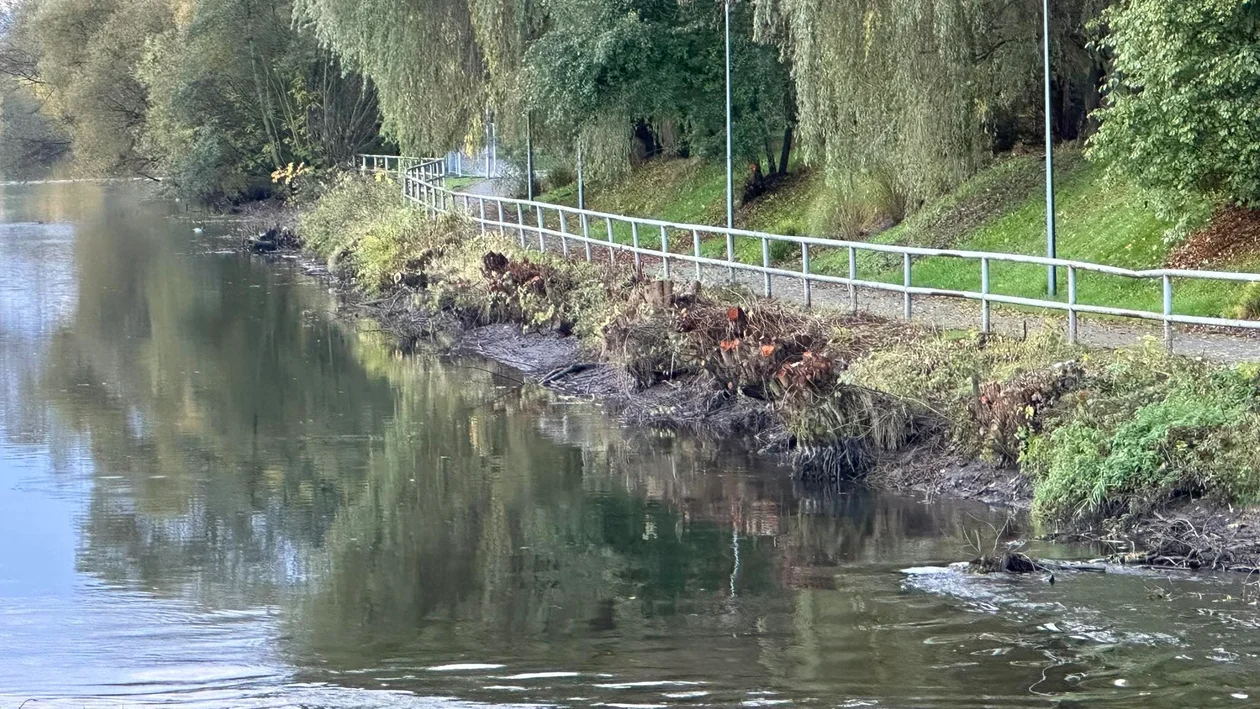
[(920, 89)]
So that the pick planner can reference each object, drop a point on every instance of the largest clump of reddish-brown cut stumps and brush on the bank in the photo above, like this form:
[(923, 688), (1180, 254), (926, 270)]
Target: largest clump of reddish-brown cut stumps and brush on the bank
[(765, 352)]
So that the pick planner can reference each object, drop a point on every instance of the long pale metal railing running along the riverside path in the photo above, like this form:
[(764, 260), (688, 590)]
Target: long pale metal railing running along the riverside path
[(535, 224)]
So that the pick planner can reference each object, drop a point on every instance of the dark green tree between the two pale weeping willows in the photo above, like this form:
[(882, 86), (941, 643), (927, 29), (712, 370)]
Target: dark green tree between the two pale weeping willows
[(648, 76)]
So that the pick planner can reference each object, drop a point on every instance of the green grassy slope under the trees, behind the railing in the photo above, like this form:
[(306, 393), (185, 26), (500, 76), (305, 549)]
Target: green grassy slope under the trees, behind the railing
[(1002, 210)]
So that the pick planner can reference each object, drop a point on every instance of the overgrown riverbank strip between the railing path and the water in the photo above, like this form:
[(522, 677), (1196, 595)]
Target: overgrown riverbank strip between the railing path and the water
[(1132, 445)]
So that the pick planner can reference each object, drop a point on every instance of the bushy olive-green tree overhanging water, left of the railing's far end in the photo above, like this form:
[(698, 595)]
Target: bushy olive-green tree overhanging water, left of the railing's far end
[(236, 91)]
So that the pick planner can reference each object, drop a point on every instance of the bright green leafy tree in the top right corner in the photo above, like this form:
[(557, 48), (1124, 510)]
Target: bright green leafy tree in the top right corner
[(1181, 114)]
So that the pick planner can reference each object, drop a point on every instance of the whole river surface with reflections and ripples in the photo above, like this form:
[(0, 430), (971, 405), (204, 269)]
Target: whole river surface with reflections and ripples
[(215, 494)]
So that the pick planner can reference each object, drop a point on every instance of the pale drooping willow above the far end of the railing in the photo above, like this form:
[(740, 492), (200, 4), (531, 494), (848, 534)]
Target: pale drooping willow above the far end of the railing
[(439, 65)]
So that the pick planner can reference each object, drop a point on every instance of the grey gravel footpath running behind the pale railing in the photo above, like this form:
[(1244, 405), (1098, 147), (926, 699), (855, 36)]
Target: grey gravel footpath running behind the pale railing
[(1227, 347)]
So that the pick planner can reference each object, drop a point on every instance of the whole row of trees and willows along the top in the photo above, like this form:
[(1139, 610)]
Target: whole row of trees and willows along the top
[(214, 95)]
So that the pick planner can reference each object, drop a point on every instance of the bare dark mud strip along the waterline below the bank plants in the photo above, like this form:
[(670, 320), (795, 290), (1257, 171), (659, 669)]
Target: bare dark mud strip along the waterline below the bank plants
[(1189, 536)]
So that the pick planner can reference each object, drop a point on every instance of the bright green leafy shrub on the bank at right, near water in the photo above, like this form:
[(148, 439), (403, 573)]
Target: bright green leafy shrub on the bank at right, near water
[(1156, 429)]
